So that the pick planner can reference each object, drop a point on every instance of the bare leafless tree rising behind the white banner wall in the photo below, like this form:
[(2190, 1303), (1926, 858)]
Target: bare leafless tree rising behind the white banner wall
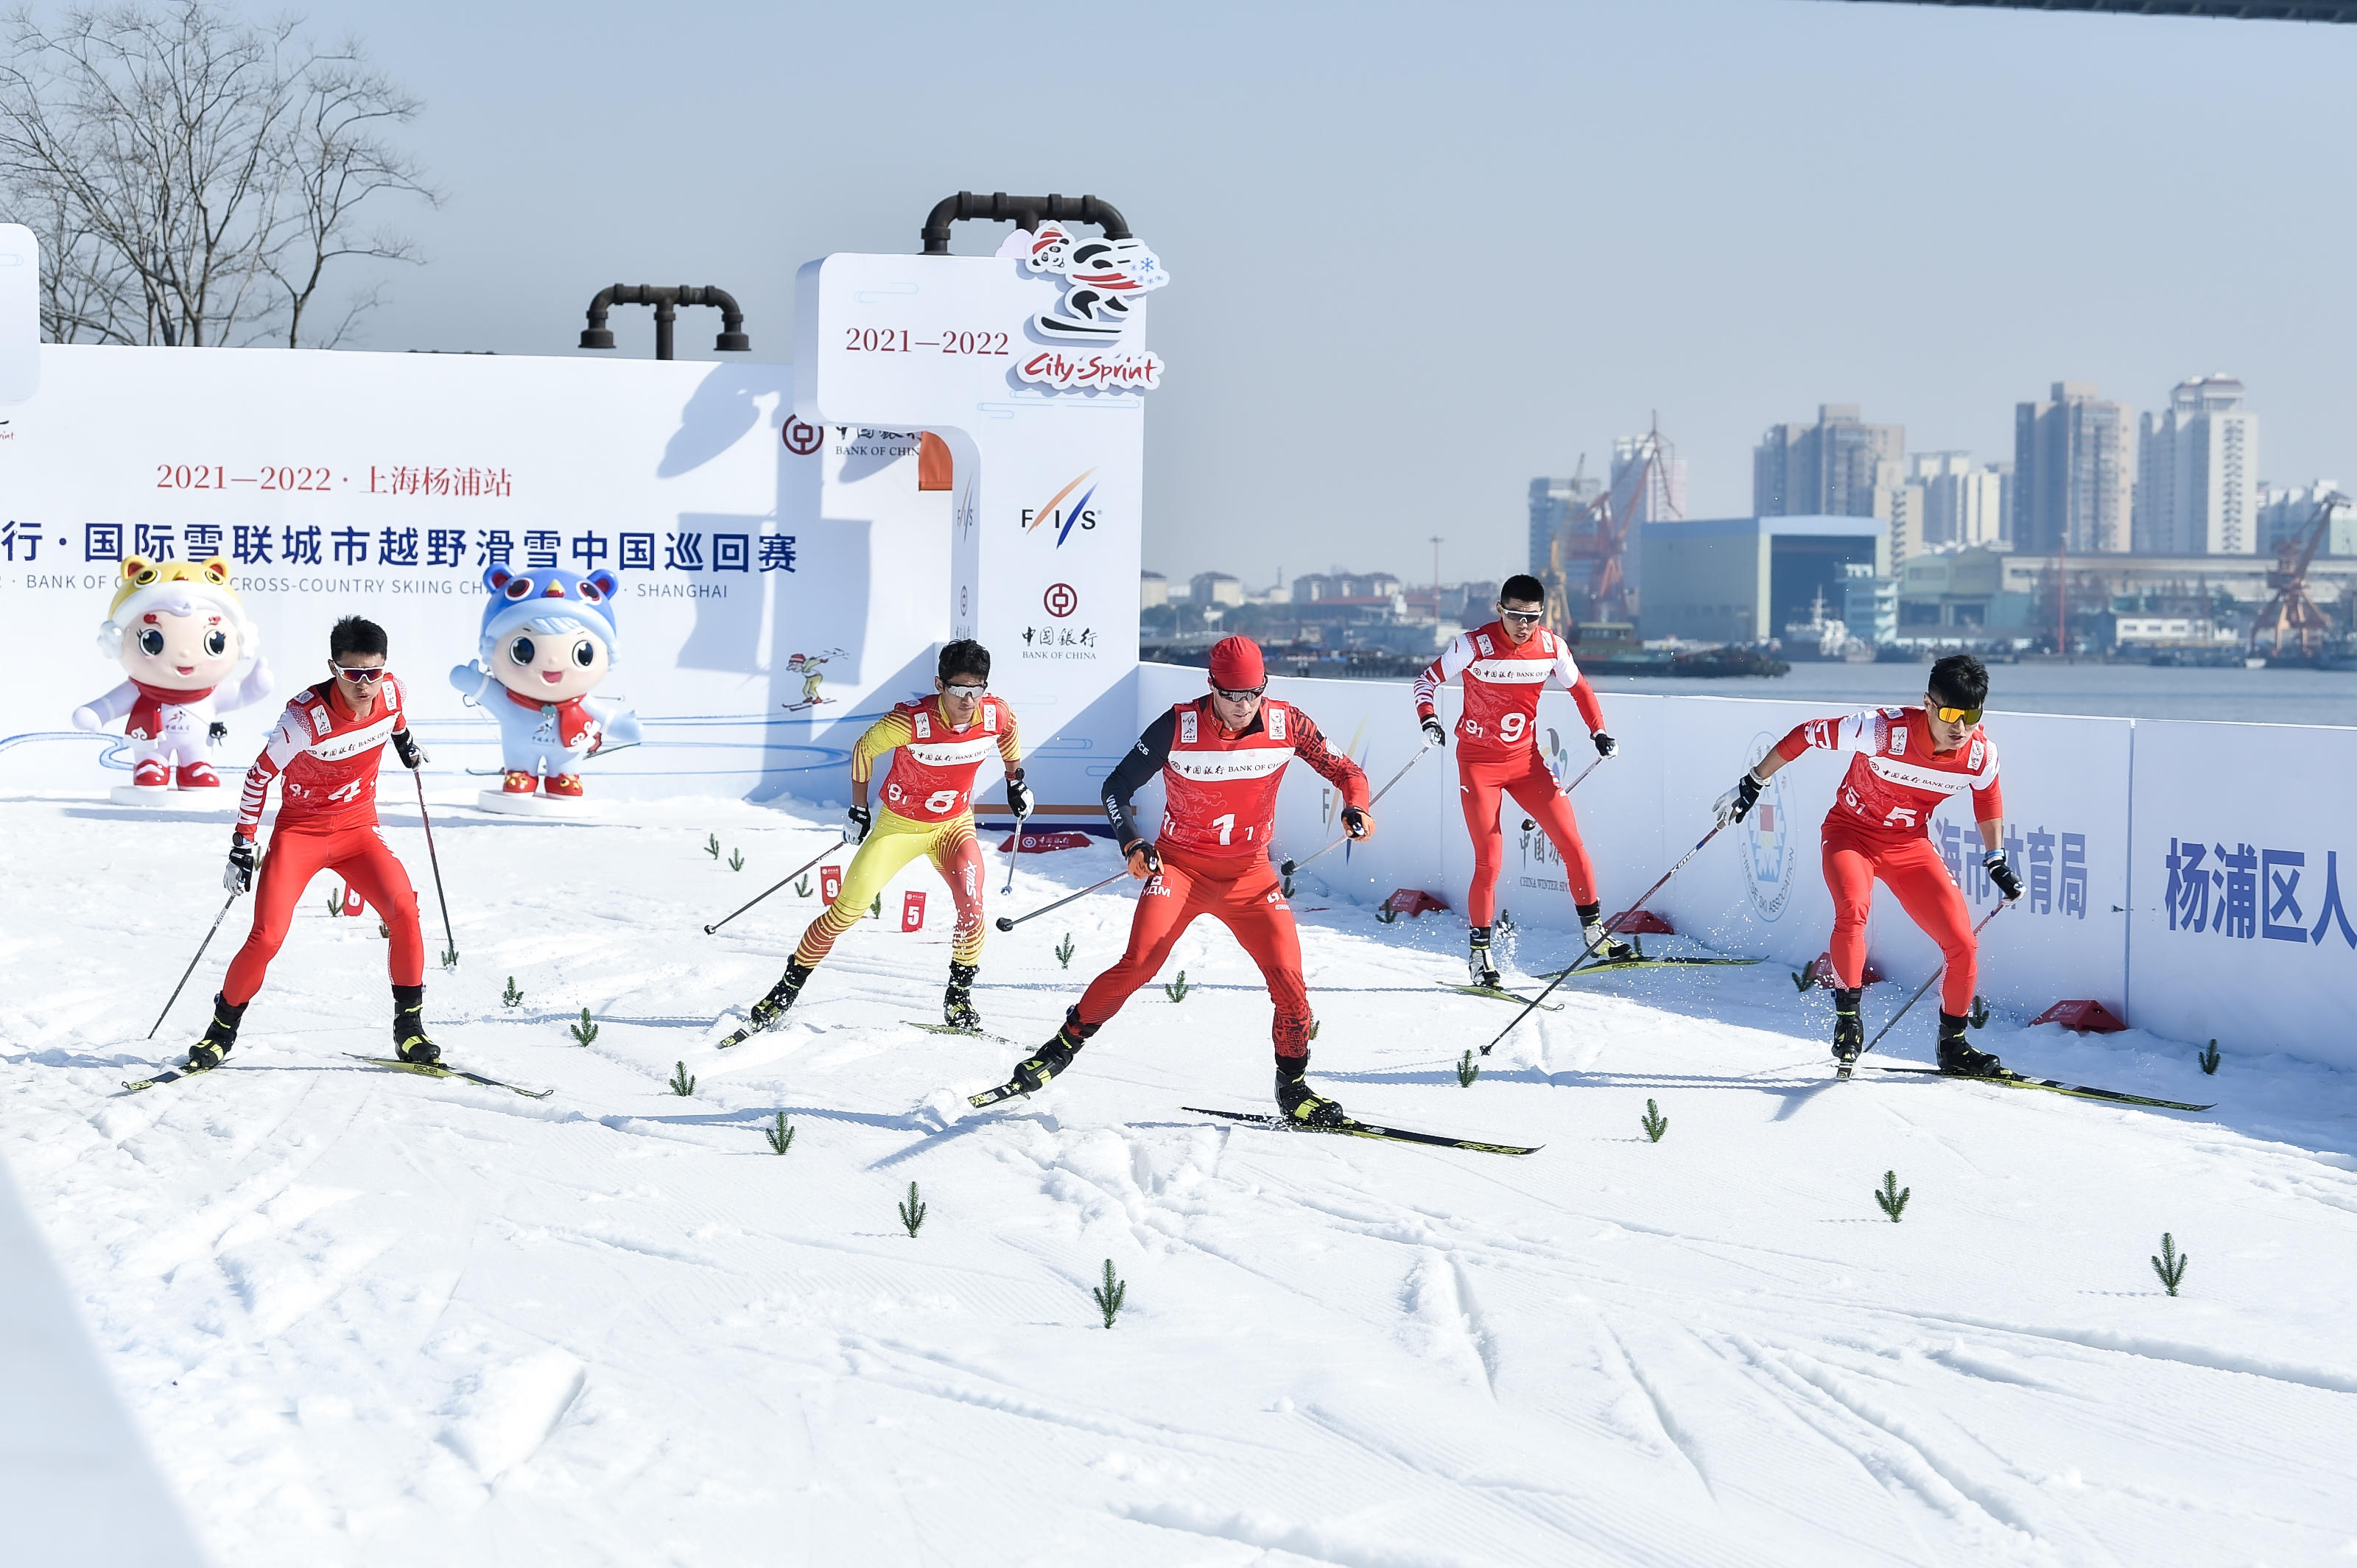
[(197, 176)]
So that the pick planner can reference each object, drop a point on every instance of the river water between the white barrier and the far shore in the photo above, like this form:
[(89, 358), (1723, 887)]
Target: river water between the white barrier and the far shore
[(2120, 692)]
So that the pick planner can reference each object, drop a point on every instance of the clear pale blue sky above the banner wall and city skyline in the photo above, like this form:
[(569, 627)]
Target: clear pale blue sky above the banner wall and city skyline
[(1425, 253)]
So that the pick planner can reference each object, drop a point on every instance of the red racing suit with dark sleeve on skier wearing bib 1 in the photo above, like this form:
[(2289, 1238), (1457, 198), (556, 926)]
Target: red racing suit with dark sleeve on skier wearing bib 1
[(1220, 803)]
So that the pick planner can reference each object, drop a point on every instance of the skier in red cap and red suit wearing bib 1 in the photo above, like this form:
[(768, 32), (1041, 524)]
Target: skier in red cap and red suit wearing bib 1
[(1222, 760)]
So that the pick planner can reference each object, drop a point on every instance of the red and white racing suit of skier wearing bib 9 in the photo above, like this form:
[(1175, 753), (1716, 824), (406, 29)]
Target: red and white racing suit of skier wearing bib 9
[(1498, 751)]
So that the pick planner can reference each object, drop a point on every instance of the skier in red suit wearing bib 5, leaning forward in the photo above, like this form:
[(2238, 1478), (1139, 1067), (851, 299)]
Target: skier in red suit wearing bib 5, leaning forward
[(1903, 765)]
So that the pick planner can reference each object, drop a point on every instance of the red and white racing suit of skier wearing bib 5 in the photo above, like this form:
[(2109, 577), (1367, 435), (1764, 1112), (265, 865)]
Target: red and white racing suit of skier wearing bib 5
[(1880, 826)]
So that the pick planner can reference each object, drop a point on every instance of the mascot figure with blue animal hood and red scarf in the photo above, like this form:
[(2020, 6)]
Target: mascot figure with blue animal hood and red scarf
[(548, 643)]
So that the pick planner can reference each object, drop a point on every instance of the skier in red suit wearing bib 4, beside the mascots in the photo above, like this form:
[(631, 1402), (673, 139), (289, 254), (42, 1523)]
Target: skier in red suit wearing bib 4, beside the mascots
[(324, 758)]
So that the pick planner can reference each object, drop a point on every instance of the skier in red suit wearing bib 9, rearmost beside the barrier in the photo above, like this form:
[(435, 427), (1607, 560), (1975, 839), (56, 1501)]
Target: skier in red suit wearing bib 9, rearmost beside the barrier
[(1503, 668)]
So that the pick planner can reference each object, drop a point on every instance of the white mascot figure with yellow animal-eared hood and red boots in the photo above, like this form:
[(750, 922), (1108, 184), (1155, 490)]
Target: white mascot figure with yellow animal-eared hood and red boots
[(180, 635)]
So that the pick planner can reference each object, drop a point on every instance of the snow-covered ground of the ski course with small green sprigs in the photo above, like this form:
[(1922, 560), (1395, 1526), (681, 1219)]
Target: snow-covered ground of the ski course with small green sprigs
[(376, 1319)]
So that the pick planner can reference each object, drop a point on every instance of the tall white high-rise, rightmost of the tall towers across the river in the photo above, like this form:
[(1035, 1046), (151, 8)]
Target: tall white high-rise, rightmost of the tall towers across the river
[(2198, 473)]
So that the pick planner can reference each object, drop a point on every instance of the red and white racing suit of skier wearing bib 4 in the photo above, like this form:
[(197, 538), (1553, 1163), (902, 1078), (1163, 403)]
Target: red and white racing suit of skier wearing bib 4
[(326, 763)]
